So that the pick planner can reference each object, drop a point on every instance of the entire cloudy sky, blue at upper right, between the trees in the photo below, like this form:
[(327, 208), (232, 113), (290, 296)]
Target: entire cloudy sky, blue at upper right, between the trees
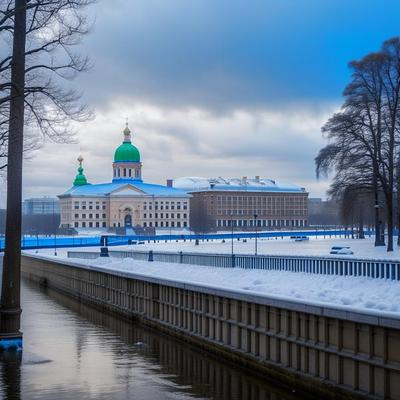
[(214, 87)]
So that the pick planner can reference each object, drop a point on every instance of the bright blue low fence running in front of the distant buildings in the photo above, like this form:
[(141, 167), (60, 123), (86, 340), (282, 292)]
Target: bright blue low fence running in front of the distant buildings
[(40, 242)]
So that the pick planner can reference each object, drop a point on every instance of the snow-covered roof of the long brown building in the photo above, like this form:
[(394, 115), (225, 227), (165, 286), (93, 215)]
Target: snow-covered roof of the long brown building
[(257, 184)]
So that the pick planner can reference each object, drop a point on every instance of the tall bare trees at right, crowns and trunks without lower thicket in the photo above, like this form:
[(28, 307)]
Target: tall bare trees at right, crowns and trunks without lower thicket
[(367, 127)]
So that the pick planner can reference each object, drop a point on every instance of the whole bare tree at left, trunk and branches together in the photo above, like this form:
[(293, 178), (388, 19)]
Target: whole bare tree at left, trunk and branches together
[(43, 33)]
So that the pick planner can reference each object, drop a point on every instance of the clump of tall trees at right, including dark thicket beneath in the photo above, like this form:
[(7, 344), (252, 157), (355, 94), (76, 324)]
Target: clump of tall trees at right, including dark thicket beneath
[(364, 143)]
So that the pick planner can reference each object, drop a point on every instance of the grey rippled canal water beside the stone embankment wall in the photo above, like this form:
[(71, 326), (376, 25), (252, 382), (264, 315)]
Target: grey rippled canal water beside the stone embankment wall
[(72, 351)]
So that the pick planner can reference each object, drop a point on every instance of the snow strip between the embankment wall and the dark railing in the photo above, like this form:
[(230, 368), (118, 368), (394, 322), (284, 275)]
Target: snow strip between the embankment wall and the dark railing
[(372, 296)]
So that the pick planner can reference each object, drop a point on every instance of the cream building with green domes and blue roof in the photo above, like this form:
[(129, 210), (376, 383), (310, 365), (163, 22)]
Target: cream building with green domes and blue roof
[(127, 201)]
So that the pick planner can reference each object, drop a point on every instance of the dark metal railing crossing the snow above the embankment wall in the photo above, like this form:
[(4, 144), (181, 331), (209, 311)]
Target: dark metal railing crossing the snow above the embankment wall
[(378, 269)]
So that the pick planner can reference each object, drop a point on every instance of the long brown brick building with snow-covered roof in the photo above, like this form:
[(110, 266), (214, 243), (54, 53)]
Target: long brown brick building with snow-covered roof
[(242, 203)]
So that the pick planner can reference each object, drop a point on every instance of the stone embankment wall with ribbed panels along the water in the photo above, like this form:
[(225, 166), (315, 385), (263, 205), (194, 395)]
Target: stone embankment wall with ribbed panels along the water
[(329, 352)]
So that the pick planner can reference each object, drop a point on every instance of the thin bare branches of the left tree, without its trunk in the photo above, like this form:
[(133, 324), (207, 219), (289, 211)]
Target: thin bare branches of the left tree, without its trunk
[(53, 29)]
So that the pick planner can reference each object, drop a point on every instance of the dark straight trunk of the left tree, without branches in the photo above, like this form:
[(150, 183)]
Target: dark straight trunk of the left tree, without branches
[(10, 293)]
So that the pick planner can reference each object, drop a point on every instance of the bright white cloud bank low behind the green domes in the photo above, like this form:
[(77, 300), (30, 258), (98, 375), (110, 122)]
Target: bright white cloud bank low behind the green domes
[(191, 141)]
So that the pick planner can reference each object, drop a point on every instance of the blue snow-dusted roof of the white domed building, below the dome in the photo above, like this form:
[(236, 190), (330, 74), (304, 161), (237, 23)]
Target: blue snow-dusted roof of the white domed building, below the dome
[(123, 189)]
